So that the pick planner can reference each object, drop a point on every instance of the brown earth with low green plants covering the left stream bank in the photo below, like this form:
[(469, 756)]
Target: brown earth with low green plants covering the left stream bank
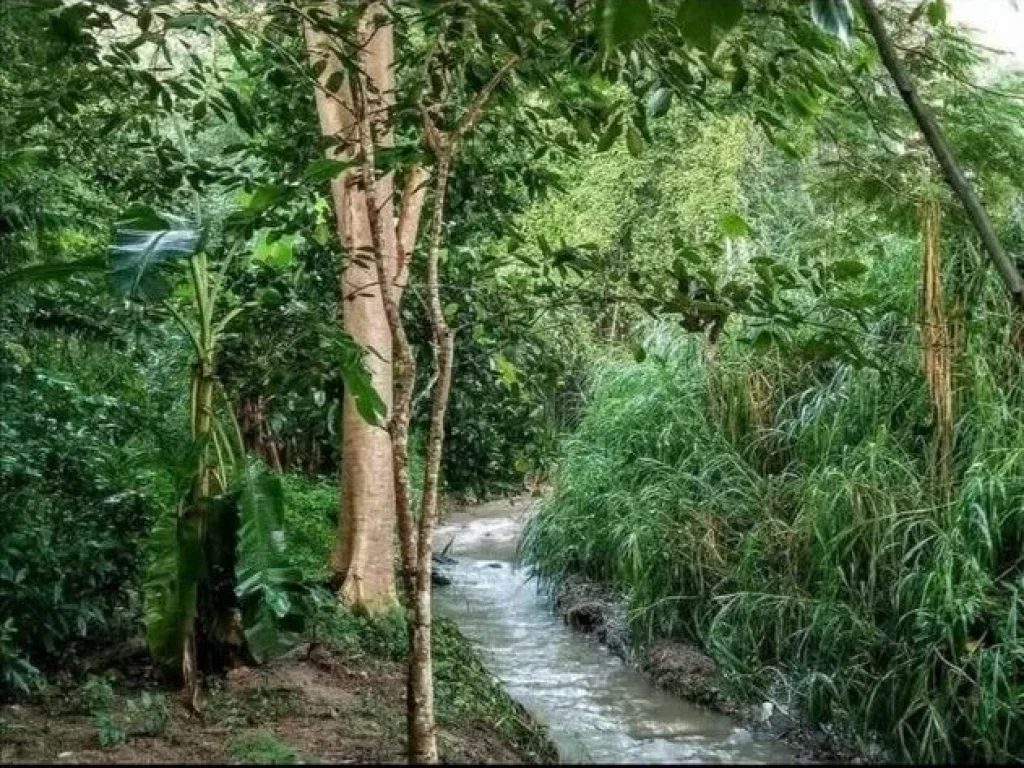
[(322, 703)]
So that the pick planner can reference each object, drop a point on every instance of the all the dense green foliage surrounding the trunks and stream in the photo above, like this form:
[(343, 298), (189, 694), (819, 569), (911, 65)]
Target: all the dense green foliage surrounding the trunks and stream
[(700, 238)]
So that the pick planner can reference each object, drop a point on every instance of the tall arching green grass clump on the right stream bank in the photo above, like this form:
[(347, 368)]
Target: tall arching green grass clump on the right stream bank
[(786, 518)]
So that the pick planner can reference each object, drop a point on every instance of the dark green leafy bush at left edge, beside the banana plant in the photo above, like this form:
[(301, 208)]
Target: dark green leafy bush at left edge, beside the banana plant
[(80, 493)]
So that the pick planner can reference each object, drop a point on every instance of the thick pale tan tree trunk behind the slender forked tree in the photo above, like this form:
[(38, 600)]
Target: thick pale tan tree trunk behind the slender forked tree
[(364, 551)]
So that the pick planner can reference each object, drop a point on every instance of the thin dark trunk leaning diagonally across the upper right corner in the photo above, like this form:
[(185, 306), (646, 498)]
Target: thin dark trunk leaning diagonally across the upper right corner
[(944, 154)]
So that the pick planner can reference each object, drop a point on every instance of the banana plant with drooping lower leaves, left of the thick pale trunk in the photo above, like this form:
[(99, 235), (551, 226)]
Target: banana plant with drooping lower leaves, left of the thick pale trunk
[(219, 586)]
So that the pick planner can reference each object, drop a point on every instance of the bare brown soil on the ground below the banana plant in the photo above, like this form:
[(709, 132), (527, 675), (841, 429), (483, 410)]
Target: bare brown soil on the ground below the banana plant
[(316, 705)]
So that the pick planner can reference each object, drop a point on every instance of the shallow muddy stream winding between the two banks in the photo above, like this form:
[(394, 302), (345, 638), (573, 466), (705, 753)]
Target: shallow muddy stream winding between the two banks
[(596, 708)]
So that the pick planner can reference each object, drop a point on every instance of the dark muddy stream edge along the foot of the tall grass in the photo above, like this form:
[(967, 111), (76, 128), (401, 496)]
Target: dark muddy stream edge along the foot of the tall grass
[(691, 674)]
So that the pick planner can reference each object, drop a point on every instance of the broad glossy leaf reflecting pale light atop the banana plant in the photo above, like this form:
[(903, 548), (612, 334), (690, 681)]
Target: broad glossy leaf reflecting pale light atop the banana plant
[(147, 245)]
